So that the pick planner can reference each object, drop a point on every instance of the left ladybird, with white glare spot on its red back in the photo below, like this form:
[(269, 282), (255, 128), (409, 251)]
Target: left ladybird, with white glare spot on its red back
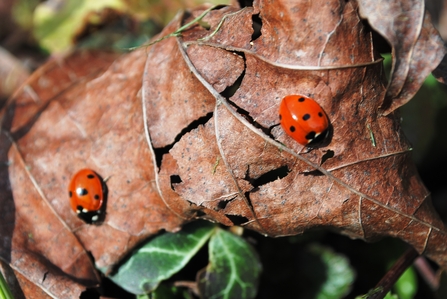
[(86, 192)]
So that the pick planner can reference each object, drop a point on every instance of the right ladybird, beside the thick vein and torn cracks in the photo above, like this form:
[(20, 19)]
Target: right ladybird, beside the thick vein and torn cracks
[(303, 119)]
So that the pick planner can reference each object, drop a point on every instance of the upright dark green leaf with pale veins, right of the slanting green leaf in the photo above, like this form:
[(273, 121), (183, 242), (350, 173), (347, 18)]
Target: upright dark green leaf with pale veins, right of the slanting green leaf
[(234, 268)]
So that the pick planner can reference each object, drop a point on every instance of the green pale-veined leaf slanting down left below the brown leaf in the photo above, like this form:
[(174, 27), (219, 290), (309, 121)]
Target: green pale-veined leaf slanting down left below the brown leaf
[(162, 257)]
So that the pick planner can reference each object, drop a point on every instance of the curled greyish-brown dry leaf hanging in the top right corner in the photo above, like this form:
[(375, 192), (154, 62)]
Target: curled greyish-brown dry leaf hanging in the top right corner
[(417, 48)]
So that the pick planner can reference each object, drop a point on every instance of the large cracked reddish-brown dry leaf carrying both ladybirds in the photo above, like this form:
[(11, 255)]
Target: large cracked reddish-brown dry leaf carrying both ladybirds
[(201, 140)]
